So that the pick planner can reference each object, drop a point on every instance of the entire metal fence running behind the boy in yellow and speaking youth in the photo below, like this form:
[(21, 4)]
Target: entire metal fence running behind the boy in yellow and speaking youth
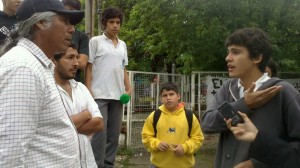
[(193, 89)]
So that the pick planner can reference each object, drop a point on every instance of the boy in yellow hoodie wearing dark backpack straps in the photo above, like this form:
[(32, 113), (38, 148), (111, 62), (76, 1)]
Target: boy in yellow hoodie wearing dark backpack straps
[(172, 145)]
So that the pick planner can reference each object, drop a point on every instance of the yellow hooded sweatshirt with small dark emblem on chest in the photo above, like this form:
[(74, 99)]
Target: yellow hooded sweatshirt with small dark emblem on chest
[(172, 128)]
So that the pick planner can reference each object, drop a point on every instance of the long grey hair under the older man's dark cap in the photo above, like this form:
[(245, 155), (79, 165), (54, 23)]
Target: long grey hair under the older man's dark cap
[(25, 29)]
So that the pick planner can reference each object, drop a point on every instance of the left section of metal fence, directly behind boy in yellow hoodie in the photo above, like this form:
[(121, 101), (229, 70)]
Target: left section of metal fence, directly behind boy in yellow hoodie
[(145, 99)]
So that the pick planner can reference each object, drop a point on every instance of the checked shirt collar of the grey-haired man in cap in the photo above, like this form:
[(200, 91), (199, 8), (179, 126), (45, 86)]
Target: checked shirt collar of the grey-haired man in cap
[(37, 52)]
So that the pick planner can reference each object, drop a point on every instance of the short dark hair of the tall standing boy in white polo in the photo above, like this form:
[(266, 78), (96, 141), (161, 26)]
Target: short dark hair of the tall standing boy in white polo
[(110, 13)]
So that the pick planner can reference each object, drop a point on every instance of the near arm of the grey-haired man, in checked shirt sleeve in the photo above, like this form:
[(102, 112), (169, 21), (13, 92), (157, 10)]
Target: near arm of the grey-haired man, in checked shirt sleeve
[(21, 95)]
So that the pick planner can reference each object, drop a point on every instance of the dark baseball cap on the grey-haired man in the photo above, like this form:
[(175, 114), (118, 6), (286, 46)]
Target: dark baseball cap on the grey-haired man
[(30, 7)]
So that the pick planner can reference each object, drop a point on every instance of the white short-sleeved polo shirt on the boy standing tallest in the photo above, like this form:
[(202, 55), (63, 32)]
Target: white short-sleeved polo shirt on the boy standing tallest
[(108, 67)]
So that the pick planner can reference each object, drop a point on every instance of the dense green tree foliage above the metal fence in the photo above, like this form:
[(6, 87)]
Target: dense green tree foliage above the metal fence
[(191, 33)]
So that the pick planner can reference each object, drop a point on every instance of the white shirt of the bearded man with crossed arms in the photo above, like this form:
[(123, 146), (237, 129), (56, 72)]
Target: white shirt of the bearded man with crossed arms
[(81, 100)]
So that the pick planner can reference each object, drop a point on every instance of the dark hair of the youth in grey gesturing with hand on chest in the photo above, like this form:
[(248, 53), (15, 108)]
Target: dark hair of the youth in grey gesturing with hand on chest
[(256, 41)]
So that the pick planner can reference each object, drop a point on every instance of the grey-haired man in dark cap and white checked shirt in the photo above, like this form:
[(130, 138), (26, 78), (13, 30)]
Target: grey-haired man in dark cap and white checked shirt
[(36, 130)]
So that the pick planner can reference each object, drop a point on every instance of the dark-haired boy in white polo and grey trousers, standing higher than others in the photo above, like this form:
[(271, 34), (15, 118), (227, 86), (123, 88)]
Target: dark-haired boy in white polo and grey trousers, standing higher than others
[(107, 79)]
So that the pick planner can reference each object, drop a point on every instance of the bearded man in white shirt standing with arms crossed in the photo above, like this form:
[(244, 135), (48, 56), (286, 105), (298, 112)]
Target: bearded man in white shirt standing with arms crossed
[(79, 103)]
